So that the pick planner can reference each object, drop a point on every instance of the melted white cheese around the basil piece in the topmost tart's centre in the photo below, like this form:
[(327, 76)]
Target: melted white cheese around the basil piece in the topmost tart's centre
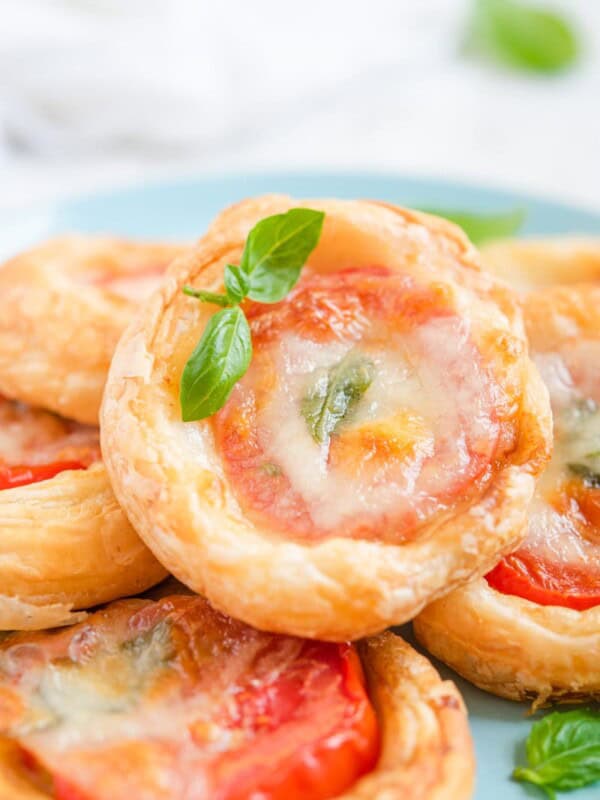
[(431, 374)]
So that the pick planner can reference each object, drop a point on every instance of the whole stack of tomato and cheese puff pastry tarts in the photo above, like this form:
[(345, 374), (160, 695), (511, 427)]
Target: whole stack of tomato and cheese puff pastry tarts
[(266, 670)]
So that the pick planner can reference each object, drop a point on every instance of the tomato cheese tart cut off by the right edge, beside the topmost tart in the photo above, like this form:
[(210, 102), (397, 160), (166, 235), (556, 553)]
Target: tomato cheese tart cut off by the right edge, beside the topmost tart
[(531, 627)]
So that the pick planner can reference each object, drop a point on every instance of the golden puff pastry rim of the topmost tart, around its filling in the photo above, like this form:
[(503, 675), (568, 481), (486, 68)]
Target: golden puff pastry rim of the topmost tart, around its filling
[(173, 488)]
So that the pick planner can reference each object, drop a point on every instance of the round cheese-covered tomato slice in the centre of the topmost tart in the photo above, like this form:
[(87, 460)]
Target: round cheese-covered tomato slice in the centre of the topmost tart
[(363, 311)]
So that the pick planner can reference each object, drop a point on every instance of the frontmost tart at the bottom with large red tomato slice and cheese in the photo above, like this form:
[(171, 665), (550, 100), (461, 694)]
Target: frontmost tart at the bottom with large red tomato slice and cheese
[(170, 700)]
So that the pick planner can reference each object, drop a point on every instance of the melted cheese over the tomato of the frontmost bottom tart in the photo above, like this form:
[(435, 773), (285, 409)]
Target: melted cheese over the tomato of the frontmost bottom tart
[(114, 690)]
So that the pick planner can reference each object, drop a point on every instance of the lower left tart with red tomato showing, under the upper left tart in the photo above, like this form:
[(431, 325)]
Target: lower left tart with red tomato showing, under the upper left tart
[(64, 541)]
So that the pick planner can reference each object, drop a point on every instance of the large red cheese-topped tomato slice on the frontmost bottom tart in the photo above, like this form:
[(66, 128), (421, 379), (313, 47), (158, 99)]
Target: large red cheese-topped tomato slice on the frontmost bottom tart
[(171, 694)]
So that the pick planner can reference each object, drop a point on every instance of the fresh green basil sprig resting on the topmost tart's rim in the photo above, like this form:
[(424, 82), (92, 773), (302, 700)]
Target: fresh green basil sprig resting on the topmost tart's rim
[(275, 252)]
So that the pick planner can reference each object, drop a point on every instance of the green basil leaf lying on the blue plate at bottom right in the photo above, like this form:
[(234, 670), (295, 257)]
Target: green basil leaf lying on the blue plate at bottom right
[(563, 751)]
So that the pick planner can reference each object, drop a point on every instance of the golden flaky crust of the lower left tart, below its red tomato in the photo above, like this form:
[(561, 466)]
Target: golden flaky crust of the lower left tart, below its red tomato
[(66, 544)]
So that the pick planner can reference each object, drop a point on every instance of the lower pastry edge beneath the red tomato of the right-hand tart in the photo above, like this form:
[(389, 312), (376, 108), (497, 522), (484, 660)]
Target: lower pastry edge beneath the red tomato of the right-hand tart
[(512, 647)]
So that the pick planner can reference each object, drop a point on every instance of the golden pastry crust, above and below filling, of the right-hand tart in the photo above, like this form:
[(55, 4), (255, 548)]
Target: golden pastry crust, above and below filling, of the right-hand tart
[(508, 645)]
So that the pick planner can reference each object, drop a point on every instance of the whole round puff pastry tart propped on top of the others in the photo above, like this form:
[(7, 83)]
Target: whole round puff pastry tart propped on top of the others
[(422, 486)]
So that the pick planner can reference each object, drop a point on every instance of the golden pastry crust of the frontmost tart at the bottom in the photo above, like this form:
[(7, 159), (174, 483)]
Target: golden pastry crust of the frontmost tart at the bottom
[(426, 751)]
